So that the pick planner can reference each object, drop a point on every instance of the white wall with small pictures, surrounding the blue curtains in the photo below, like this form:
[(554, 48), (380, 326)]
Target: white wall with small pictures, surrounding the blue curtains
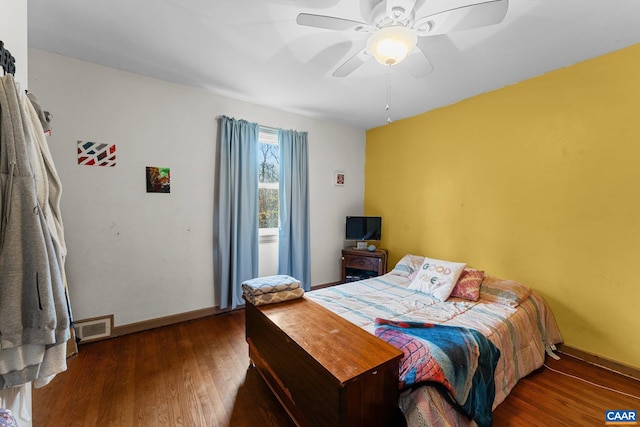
[(141, 255)]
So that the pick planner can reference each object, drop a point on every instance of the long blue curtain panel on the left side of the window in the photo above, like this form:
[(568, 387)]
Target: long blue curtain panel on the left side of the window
[(236, 206)]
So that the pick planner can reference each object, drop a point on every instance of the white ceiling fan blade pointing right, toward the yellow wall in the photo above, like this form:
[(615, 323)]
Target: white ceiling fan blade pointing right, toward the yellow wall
[(463, 18)]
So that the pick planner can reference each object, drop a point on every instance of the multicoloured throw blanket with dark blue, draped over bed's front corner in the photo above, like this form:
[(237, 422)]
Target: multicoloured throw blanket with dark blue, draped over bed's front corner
[(460, 361)]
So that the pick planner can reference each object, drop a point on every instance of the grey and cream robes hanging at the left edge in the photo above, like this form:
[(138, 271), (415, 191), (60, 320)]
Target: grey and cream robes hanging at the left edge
[(34, 310)]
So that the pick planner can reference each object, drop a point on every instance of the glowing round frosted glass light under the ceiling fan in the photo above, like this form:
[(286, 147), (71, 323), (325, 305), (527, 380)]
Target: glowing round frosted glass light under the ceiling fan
[(390, 45)]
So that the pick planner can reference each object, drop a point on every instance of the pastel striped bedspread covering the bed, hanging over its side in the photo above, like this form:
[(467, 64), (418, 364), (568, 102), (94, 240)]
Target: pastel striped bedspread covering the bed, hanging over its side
[(521, 334)]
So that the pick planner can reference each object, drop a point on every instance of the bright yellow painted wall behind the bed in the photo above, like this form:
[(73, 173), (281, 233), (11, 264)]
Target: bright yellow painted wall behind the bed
[(537, 182)]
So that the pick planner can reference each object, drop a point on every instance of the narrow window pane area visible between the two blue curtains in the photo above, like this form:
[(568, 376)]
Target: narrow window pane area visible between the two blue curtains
[(268, 181)]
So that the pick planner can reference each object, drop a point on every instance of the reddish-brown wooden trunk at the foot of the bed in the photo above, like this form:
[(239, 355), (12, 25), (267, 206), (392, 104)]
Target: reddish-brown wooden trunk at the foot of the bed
[(324, 370)]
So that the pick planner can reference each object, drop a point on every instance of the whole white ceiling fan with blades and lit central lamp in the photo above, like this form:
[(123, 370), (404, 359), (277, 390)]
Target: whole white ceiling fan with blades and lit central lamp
[(395, 31)]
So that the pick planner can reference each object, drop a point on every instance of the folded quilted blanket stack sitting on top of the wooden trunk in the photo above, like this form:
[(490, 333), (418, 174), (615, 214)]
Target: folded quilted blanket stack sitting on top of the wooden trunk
[(271, 289)]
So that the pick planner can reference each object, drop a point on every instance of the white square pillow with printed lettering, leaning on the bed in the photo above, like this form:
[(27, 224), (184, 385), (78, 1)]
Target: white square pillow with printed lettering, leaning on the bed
[(437, 277)]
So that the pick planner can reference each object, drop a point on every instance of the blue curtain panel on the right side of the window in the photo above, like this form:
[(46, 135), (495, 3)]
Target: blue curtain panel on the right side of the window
[(294, 256)]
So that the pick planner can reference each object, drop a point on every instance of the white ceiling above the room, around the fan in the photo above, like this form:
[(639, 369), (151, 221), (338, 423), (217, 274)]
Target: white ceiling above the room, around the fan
[(253, 50)]
